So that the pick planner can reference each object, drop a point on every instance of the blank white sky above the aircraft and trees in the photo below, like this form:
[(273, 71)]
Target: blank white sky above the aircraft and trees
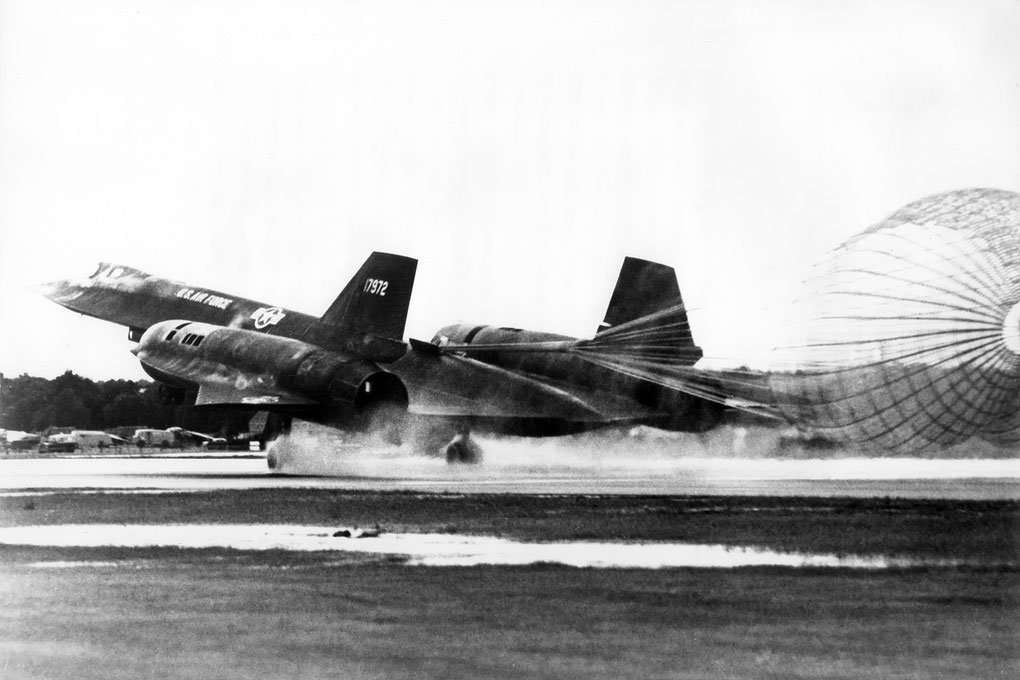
[(520, 150)]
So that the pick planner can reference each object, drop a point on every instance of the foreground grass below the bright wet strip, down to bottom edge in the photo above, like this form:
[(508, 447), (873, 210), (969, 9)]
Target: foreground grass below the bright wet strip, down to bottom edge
[(245, 616)]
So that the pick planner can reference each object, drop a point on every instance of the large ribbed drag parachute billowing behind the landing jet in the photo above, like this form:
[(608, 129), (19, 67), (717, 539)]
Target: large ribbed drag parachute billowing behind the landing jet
[(909, 335)]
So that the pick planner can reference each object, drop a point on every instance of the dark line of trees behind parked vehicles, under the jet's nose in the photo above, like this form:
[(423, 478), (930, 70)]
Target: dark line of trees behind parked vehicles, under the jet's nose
[(34, 404)]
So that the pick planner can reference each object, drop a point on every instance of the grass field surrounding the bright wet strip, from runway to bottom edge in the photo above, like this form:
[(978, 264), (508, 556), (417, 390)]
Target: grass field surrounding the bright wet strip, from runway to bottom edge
[(172, 613)]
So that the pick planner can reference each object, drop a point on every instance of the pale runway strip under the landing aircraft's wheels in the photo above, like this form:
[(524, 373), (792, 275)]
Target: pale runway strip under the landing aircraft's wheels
[(980, 480)]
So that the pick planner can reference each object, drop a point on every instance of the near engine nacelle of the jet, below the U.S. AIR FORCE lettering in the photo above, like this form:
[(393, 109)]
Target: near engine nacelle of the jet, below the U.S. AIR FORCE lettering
[(205, 354)]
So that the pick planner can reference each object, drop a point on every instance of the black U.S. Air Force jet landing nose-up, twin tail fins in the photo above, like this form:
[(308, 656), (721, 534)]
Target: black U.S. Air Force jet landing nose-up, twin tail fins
[(352, 370)]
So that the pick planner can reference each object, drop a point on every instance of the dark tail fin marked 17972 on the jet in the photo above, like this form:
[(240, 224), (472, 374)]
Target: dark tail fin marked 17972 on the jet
[(377, 300)]
